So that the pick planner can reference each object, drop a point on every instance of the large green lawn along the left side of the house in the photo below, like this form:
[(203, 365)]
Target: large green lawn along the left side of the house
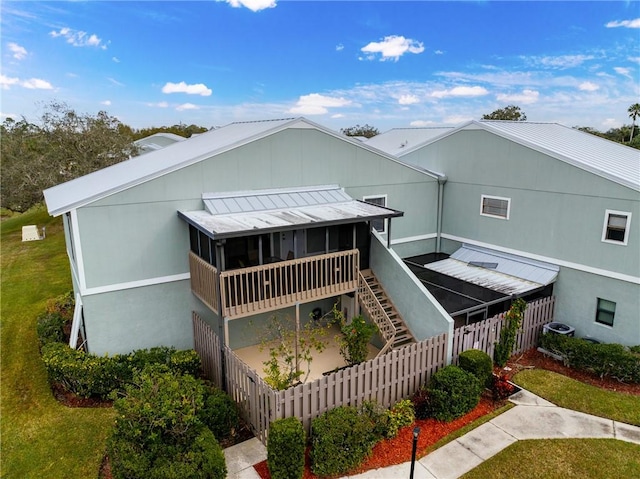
[(40, 437)]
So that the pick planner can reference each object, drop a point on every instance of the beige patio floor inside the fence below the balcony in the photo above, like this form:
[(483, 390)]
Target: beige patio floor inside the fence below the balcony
[(329, 360)]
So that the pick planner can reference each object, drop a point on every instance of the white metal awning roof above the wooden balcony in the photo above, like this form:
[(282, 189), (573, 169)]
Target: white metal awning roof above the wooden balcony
[(249, 213)]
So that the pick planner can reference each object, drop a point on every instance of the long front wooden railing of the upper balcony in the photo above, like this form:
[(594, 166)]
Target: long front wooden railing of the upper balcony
[(273, 286)]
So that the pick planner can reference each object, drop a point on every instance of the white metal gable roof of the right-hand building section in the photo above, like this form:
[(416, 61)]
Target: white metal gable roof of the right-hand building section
[(602, 157)]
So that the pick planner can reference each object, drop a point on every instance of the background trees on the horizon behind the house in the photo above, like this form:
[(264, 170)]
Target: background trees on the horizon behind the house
[(64, 145)]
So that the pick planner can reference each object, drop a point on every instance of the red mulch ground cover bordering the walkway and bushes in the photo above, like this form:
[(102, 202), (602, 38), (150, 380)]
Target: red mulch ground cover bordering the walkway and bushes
[(398, 449)]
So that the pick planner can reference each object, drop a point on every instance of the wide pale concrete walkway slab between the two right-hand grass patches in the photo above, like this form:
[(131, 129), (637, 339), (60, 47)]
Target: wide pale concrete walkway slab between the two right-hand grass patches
[(552, 423)]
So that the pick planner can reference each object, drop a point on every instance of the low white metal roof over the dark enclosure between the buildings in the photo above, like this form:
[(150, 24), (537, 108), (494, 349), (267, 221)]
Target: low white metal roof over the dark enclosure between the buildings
[(503, 272)]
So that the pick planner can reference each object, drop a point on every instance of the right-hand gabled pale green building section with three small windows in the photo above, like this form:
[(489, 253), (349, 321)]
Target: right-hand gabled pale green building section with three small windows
[(546, 195)]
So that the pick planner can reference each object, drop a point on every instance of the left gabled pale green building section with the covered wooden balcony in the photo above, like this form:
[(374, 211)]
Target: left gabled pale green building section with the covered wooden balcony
[(240, 223)]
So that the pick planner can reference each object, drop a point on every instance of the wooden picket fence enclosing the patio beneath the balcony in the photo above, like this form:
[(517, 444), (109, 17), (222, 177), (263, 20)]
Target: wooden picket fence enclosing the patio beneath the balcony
[(385, 379)]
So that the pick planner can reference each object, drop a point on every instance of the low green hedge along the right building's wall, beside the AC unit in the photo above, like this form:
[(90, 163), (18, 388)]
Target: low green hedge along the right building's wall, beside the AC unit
[(612, 360)]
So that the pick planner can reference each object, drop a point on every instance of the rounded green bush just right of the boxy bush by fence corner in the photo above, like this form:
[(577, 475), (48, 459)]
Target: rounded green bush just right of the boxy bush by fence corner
[(342, 439)]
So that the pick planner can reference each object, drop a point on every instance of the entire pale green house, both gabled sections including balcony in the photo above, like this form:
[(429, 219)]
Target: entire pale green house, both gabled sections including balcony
[(288, 217)]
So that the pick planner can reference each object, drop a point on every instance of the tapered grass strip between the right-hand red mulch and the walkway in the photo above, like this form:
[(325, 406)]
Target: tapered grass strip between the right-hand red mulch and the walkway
[(571, 394)]
